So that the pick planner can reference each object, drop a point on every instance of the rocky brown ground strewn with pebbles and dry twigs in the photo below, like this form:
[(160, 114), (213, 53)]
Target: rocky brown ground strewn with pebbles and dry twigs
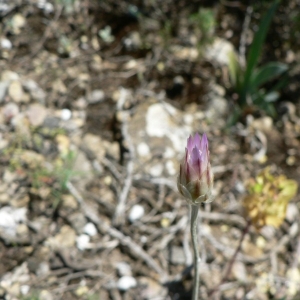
[(97, 99)]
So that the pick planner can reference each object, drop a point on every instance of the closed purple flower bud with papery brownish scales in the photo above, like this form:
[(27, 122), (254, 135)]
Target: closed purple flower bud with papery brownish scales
[(195, 180)]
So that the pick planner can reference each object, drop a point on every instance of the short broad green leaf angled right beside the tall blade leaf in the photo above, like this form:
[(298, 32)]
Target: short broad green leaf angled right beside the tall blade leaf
[(267, 73)]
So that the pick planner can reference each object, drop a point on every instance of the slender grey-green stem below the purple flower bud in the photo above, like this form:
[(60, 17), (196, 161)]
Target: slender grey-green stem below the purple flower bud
[(197, 260)]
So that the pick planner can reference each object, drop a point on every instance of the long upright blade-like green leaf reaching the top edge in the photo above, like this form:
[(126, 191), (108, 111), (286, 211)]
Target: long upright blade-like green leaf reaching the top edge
[(256, 48)]
